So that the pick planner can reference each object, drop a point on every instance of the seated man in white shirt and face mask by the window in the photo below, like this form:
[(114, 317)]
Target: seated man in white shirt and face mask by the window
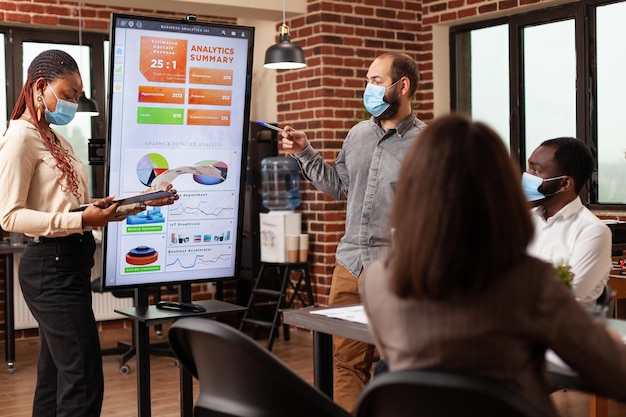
[(566, 232)]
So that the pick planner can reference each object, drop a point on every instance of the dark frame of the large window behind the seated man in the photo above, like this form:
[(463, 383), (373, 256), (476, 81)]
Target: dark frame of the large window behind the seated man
[(583, 14)]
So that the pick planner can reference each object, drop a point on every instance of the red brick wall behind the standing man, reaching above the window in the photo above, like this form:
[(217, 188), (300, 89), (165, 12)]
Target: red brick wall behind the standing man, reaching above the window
[(340, 38)]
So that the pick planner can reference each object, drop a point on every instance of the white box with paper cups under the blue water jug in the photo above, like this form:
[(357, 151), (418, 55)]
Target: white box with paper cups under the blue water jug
[(275, 225)]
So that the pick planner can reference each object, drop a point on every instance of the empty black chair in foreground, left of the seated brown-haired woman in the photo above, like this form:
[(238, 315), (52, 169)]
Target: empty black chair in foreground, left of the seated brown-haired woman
[(240, 378)]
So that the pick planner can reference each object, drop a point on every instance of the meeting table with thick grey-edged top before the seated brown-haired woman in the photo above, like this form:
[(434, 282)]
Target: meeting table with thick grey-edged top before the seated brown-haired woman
[(325, 327)]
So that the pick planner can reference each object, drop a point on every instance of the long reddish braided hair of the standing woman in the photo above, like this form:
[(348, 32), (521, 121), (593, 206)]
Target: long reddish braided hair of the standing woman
[(49, 65)]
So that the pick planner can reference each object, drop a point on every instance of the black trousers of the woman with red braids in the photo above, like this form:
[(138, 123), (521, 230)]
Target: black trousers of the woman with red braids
[(55, 278)]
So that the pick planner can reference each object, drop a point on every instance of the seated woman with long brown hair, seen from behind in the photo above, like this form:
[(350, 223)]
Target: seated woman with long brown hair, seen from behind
[(457, 291)]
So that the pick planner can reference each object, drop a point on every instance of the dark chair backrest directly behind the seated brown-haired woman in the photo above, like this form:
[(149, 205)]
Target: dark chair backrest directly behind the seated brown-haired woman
[(427, 393)]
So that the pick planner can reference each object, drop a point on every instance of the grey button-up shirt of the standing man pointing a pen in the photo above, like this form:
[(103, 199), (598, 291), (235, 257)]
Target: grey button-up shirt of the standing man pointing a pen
[(368, 162)]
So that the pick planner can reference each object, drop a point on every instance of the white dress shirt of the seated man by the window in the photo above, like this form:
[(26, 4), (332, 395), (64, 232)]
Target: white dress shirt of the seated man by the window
[(575, 236)]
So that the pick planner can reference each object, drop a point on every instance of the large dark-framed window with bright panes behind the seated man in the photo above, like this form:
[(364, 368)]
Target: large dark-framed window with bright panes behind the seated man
[(562, 77)]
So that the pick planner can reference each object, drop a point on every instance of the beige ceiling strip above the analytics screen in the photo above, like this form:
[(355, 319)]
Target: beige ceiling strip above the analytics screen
[(247, 9)]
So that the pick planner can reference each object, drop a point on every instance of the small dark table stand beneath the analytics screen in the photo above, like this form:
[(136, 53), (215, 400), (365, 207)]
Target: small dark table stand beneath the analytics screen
[(146, 316)]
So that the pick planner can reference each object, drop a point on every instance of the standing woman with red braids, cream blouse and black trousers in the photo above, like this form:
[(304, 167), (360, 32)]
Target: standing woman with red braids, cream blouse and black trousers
[(41, 181)]
